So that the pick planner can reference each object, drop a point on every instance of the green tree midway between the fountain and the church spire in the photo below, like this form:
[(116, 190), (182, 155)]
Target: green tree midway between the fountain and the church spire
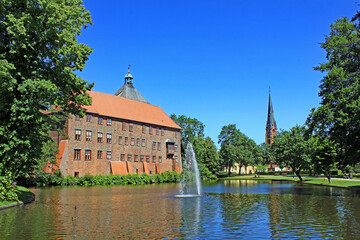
[(238, 148)]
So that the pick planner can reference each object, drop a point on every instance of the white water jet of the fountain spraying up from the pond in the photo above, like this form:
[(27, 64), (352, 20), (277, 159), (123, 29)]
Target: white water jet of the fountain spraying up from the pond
[(190, 184)]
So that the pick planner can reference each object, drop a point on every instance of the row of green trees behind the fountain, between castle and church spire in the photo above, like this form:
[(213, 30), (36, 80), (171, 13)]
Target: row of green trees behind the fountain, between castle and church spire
[(236, 147)]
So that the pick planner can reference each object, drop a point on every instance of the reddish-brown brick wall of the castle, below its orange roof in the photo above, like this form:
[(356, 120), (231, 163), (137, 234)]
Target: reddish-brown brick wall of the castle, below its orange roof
[(94, 165)]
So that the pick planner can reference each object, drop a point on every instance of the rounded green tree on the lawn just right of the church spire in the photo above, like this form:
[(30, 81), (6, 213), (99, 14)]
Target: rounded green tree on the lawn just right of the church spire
[(291, 149)]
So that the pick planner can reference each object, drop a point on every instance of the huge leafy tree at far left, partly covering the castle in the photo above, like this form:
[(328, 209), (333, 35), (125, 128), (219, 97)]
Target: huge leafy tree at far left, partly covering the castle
[(39, 54)]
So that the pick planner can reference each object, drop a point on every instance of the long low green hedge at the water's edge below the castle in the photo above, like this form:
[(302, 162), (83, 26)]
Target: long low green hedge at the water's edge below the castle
[(48, 179)]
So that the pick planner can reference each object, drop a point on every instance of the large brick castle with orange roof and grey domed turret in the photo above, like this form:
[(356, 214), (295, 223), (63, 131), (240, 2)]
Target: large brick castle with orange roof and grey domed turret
[(120, 134)]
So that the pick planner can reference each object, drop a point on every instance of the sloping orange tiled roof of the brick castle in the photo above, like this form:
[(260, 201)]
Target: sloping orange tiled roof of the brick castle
[(119, 107)]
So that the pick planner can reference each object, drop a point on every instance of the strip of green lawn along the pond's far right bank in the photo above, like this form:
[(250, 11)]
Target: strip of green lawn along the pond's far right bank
[(335, 182)]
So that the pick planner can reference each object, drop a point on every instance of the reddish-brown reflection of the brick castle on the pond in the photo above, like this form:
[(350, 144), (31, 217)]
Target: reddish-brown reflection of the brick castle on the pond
[(120, 212)]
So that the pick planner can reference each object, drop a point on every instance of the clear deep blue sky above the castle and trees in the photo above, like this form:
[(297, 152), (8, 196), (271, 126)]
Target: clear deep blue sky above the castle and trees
[(214, 60)]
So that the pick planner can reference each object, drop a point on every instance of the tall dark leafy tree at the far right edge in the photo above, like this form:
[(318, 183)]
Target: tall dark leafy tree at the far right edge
[(338, 116)]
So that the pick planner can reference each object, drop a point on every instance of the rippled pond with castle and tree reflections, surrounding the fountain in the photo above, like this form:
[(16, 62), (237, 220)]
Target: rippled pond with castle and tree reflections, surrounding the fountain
[(231, 209)]
